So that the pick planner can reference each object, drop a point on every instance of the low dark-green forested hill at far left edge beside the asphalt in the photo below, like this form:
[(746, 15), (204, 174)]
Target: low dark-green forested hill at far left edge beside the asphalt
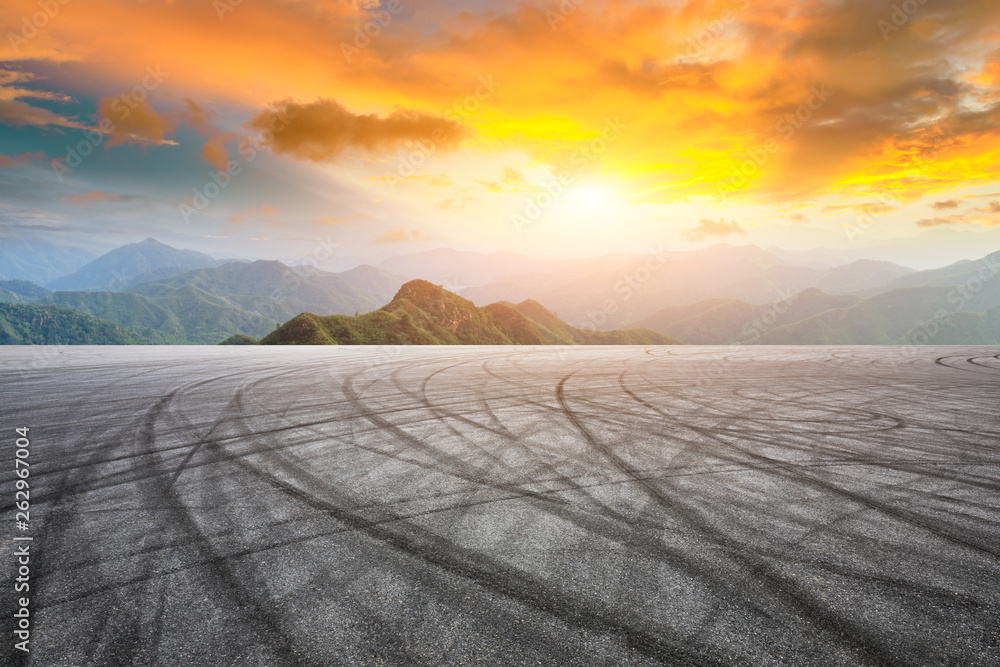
[(48, 325)]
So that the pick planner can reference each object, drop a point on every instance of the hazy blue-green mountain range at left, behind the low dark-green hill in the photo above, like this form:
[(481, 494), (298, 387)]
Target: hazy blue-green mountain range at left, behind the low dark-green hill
[(154, 293)]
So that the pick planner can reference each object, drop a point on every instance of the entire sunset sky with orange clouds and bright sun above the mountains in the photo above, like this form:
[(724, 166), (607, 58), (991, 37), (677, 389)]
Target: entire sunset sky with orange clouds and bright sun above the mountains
[(358, 129)]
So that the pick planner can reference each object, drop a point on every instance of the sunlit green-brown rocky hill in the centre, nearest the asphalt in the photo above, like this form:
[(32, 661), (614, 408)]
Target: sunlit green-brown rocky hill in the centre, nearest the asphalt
[(425, 314)]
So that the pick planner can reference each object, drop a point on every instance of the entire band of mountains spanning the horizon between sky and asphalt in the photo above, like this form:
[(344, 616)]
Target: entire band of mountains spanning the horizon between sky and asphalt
[(723, 294)]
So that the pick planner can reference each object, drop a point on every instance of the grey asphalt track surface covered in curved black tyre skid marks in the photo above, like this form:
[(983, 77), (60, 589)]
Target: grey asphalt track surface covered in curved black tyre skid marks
[(506, 505)]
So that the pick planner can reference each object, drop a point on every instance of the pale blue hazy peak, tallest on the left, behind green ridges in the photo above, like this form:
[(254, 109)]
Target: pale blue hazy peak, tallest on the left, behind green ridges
[(116, 270)]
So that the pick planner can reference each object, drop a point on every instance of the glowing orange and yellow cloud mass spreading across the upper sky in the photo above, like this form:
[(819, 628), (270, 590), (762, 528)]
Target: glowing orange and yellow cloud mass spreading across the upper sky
[(707, 89)]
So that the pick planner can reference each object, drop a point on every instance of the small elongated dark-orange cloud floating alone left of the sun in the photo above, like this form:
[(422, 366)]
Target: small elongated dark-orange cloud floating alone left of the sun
[(323, 130)]
